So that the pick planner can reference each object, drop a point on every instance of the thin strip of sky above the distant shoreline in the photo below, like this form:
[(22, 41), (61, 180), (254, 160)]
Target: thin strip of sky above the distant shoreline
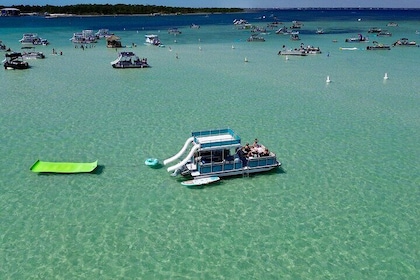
[(233, 3)]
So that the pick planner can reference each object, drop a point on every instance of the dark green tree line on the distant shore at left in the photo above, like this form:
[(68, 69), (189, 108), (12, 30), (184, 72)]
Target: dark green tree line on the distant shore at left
[(123, 9)]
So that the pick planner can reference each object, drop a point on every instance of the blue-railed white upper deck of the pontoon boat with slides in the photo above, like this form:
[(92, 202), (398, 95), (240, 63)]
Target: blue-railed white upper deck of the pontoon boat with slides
[(219, 138)]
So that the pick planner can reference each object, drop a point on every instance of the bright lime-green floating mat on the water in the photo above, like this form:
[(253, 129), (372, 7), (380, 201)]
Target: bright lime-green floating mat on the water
[(63, 167)]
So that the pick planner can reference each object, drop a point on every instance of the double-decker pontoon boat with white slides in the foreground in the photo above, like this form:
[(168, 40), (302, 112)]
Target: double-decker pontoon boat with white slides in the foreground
[(220, 153)]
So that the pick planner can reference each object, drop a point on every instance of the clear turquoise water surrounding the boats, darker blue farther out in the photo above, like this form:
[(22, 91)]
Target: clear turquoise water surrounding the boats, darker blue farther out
[(345, 205)]
